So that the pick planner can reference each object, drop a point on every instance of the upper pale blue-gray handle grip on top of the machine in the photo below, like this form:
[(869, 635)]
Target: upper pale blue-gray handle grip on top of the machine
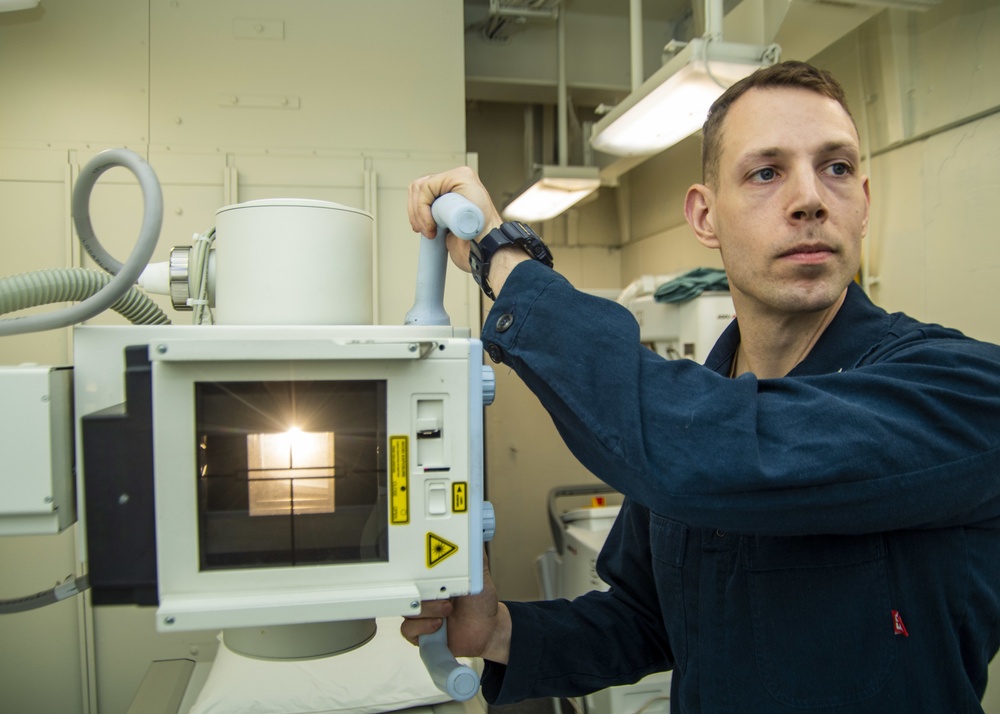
[(459, 215)]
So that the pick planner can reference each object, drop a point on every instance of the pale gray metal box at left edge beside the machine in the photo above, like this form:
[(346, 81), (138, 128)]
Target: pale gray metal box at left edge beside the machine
[(36, 450)]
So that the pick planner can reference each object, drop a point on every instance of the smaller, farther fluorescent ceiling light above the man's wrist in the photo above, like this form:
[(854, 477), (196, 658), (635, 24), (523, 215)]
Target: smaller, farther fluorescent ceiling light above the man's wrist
[(554, 190)]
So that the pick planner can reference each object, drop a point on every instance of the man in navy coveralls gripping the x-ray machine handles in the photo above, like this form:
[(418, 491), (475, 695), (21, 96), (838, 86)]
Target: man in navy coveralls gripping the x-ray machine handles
[(811, 521)]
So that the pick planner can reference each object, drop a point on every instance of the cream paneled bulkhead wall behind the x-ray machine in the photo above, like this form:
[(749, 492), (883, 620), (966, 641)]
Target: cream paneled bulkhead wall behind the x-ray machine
[(344, 101)]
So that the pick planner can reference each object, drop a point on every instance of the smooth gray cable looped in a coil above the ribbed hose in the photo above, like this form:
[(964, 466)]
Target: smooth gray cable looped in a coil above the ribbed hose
[(125, 274)]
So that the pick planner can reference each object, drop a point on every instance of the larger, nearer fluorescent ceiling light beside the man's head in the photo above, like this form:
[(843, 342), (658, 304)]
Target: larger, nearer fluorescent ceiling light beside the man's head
[(674, 102)]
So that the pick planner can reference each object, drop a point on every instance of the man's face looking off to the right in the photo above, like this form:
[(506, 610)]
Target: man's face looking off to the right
[(790, 208)]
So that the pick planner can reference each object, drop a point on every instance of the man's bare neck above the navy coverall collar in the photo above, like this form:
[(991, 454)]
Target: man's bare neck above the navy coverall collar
[(771, 345)]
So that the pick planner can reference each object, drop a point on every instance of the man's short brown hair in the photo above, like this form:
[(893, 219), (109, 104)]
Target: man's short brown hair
[(783, 74)]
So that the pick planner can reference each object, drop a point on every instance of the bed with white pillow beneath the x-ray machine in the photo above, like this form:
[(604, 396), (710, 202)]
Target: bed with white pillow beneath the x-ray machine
[(385, 675)]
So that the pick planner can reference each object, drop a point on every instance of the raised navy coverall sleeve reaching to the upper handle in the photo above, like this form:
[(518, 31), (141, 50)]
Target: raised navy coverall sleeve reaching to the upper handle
[(907, 437)]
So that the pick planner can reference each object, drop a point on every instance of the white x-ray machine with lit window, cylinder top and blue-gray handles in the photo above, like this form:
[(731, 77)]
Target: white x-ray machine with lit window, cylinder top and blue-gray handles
[(293, 472)]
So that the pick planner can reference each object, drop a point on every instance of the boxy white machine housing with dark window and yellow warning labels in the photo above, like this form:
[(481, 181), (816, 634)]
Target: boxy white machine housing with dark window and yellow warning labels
[(423, 533)]
